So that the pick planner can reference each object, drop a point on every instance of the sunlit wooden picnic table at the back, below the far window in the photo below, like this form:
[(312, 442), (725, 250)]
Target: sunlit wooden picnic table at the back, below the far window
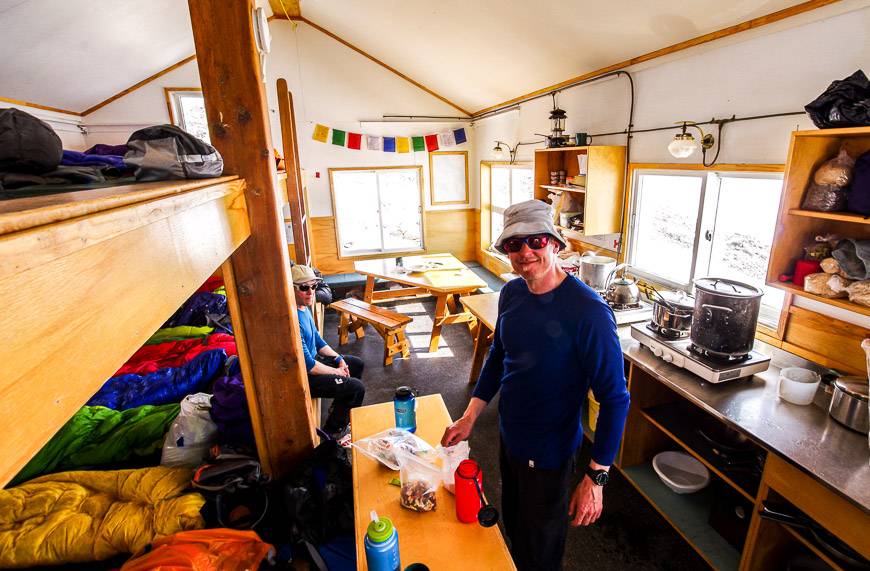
[(451, 279)]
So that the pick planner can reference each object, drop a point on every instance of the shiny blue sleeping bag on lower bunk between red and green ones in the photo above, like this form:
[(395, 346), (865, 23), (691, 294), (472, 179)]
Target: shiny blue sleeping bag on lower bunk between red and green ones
[(163, 386)]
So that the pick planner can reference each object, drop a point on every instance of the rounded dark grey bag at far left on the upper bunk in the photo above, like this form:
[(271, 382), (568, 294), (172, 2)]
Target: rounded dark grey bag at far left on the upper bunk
[(27, 144)]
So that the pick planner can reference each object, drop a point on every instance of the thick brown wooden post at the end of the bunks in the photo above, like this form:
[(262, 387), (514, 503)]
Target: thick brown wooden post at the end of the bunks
[(276, 381)]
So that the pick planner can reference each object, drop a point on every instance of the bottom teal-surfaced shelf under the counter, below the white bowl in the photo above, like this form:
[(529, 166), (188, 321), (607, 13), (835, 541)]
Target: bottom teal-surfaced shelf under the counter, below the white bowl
[(688, 513)]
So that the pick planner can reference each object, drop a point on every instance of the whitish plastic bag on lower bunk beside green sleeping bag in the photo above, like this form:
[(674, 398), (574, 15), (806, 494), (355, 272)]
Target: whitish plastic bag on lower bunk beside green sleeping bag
[(191, 434)]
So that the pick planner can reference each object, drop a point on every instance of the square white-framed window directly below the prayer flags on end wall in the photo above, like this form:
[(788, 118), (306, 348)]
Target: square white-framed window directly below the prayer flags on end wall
[(377, 210)]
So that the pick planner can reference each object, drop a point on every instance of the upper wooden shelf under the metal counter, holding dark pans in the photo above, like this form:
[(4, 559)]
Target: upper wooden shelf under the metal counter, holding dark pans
[(677, 423)]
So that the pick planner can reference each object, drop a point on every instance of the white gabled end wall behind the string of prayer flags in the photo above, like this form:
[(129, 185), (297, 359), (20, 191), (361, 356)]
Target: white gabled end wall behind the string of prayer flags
[(330, 83)]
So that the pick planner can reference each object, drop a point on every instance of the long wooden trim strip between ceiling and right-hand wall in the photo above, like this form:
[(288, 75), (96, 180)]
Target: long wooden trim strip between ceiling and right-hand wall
[(719, 34)]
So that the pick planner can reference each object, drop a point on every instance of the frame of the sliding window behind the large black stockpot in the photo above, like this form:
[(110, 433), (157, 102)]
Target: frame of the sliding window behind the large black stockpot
[(729, 170)]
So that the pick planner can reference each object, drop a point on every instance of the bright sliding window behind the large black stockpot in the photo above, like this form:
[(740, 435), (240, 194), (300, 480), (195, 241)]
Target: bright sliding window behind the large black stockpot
[(691, 224)]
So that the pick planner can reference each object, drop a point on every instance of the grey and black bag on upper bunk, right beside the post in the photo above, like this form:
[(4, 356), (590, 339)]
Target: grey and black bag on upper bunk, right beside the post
[(164, 152)]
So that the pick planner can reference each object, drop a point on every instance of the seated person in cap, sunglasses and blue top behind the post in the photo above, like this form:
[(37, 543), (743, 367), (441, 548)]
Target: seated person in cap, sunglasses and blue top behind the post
[(330, 375)]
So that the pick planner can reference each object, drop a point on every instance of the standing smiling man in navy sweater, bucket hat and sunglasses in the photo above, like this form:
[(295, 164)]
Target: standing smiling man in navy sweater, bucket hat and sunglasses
[(555, 338)]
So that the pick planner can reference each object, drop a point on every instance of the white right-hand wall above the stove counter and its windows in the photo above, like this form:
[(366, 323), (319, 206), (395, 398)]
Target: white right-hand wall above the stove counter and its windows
[(772, 73)]
